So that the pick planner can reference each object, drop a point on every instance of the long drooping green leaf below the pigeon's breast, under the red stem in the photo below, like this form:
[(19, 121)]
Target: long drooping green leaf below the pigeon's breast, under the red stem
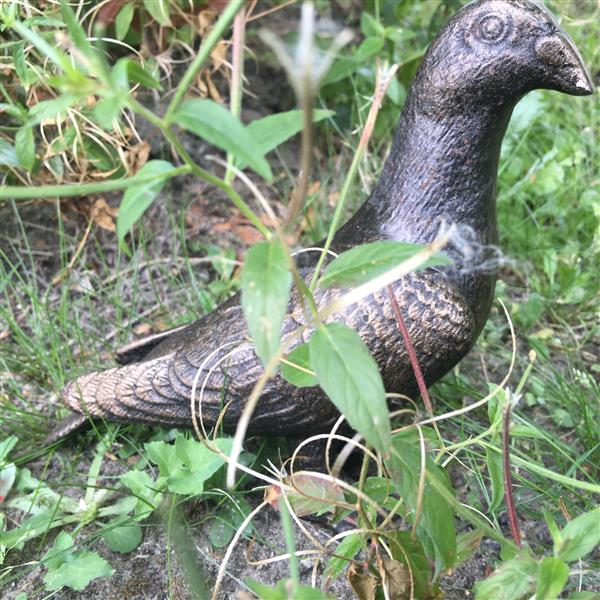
[(437, 516)]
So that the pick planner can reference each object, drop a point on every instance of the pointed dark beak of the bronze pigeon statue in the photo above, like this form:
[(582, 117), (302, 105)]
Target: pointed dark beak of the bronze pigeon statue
[(564, 68)]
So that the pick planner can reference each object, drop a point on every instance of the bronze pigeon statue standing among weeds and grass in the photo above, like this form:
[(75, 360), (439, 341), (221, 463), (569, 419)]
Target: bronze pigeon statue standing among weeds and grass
[(442, 168)]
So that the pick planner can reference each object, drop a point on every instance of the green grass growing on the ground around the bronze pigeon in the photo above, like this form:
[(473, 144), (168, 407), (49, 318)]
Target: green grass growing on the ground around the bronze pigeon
[(548, 202)]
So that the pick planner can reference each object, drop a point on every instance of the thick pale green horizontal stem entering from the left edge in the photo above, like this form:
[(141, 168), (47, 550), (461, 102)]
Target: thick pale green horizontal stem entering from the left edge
[(82, 189)]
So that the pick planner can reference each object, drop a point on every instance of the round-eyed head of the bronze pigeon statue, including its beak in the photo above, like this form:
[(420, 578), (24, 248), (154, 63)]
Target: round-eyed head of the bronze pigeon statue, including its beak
[(494, 51)]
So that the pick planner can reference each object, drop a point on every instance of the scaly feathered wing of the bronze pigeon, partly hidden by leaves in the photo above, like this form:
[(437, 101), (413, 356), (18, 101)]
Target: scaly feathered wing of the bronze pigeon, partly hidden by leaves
[(214, 357)]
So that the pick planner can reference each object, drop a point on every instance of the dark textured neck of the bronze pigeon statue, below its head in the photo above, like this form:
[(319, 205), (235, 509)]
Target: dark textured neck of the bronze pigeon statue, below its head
[(443, 167)]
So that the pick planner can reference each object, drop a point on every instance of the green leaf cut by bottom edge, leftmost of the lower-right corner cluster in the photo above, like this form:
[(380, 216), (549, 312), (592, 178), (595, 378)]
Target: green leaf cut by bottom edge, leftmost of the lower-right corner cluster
[(512, 580)]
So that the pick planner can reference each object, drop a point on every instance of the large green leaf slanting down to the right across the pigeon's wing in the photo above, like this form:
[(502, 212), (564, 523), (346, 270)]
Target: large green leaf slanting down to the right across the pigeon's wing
[(349, 376)]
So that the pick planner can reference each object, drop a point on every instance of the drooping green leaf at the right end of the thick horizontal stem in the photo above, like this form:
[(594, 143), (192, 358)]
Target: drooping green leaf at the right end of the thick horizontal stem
[(138, 198)]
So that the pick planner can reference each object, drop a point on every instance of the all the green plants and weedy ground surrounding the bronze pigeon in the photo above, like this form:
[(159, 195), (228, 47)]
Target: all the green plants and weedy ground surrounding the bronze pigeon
[(80, 85)]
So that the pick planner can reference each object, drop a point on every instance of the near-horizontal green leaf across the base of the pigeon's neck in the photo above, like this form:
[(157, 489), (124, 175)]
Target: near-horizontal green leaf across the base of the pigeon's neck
[(363, 263)]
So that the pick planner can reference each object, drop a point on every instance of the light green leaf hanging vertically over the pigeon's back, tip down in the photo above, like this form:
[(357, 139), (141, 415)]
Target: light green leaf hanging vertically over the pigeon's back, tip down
[(266, 282)]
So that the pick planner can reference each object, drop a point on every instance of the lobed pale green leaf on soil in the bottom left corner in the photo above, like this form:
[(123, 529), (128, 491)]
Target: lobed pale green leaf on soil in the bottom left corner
[(74, 569)]
